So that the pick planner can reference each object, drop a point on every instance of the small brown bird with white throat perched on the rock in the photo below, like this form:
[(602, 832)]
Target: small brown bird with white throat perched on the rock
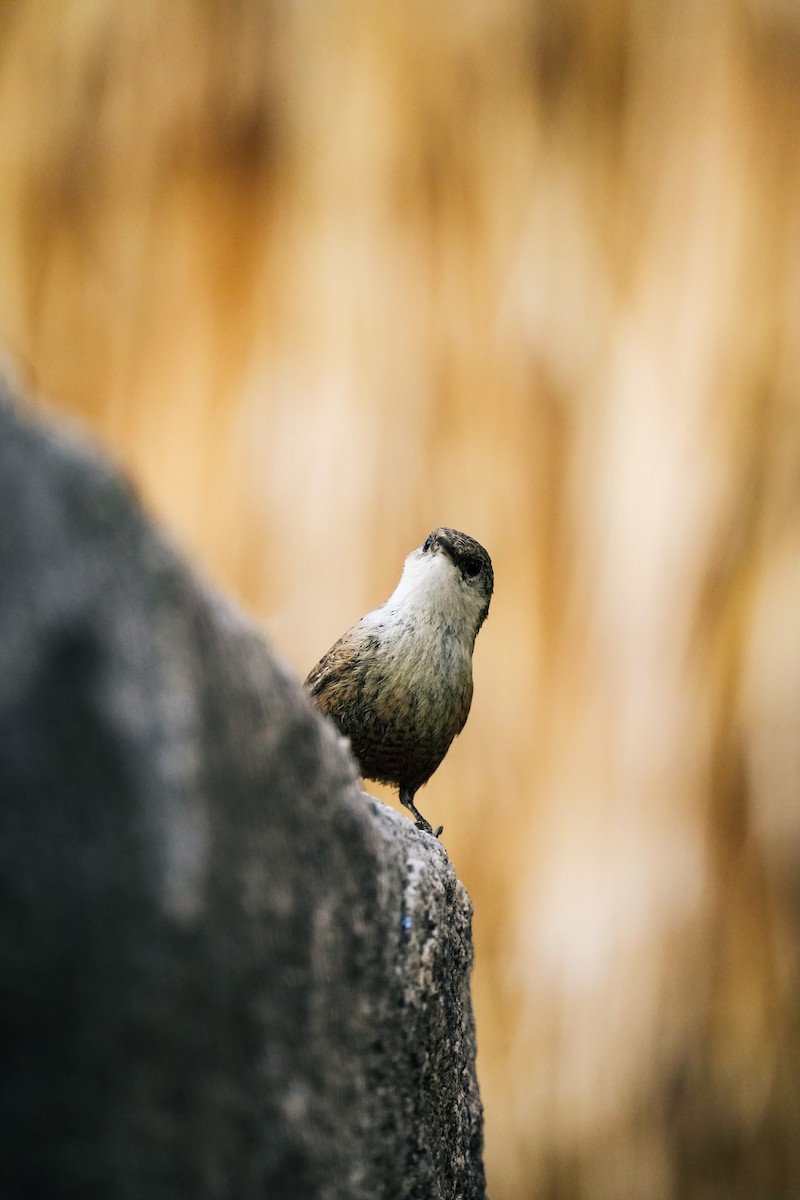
[(399, 683)]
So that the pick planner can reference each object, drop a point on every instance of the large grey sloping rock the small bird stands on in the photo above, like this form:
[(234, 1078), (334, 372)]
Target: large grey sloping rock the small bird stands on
[(225, 973)]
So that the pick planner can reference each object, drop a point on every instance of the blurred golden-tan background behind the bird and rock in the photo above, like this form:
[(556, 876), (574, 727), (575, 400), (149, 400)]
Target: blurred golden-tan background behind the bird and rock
[(327, 275)]
